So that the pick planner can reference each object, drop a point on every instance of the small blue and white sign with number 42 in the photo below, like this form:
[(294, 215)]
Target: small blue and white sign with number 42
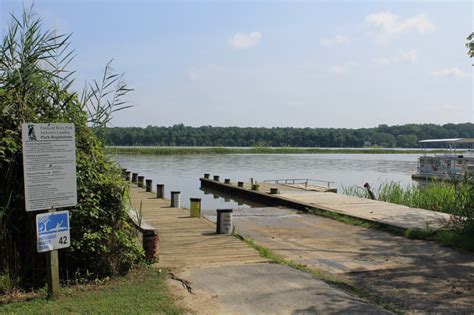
[(52, 231)]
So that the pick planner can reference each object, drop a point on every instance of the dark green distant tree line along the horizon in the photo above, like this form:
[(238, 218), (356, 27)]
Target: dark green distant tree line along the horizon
[(404, 136)]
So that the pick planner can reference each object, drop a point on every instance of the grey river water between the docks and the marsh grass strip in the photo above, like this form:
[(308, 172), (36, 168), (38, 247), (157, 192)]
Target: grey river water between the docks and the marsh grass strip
[(182, 172)]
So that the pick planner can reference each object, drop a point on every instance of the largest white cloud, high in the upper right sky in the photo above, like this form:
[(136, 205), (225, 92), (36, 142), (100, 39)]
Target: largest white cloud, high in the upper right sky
[(386, 24)]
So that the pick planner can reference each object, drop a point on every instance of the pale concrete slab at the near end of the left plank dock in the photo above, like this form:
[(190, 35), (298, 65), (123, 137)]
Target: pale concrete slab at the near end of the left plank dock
[(268, 289)]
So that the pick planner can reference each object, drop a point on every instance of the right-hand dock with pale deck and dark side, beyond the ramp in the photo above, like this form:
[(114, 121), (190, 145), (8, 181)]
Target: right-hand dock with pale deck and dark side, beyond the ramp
[(370, 210)]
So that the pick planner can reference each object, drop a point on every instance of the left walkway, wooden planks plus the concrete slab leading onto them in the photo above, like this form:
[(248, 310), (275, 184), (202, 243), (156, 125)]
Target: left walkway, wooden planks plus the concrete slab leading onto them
[(226, 276)]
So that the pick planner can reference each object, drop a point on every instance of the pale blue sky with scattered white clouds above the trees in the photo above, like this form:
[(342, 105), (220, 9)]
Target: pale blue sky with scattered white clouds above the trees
[(341, 64)]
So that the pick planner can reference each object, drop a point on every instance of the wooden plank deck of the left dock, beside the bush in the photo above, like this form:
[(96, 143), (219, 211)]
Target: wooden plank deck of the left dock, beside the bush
[(186, 241)]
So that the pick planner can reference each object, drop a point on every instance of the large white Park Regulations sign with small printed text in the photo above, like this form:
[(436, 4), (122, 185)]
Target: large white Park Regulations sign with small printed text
[(49, 165)]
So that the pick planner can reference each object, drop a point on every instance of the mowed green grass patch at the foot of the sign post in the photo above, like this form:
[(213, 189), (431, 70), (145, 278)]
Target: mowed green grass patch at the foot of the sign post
[(142, 291)]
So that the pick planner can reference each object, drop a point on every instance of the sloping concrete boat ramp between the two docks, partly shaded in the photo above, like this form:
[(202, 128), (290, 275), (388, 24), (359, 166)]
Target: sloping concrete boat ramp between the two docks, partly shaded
[(408, 275)]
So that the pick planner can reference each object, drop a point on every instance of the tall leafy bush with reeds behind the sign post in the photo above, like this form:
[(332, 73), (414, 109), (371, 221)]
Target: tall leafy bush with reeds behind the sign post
[(35, 87)]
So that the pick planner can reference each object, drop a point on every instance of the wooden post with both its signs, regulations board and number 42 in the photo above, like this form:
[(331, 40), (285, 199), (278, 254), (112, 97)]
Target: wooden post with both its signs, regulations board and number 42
[(49, 168)]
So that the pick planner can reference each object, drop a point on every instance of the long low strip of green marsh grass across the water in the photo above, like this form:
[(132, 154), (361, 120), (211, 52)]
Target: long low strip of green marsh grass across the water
[(262, 150)]
